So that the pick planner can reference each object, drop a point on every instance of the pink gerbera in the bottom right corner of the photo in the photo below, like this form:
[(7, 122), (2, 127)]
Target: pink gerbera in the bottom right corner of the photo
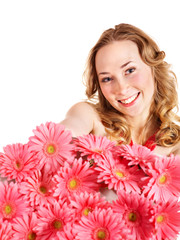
[(167, 220)]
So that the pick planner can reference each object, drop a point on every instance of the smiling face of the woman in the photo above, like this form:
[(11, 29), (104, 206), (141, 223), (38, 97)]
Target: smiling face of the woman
[(125, 80)]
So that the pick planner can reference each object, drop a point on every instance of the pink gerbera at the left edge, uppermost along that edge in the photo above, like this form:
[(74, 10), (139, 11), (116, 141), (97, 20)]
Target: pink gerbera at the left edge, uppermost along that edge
[(17, 162)]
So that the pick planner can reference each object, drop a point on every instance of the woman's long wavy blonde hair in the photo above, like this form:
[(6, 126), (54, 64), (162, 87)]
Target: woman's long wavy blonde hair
[(165, 95)]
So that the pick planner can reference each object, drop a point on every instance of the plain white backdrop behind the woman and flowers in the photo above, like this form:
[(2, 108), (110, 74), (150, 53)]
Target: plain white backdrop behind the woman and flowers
[(44, 46)]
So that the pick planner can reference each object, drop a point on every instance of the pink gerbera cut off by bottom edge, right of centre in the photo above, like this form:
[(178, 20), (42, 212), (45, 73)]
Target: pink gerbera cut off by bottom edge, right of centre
[(100, 224)]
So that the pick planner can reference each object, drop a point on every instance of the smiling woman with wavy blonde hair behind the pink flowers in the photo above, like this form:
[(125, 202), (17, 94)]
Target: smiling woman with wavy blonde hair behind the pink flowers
[(135, 92)]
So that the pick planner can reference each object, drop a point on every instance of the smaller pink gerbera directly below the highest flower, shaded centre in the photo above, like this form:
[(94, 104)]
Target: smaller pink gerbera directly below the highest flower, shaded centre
[(37, 189)]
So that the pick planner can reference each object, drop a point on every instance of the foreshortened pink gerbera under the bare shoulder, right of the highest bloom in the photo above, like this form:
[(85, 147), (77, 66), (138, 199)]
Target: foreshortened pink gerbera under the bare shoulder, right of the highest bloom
[(94, 147)]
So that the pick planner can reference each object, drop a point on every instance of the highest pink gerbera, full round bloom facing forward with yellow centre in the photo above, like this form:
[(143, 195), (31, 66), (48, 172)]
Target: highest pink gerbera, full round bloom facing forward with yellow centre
[(52, 143)]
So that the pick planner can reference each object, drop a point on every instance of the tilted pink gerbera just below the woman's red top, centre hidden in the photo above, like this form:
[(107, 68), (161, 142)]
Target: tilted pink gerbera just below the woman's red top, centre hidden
[(136, 154)]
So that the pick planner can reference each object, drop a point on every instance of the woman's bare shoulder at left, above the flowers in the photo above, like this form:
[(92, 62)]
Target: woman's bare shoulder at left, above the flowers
[(82, 118)]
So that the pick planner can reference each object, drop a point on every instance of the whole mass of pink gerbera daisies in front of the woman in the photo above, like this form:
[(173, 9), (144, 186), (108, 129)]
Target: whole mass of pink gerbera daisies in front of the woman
[(59, 187)]
